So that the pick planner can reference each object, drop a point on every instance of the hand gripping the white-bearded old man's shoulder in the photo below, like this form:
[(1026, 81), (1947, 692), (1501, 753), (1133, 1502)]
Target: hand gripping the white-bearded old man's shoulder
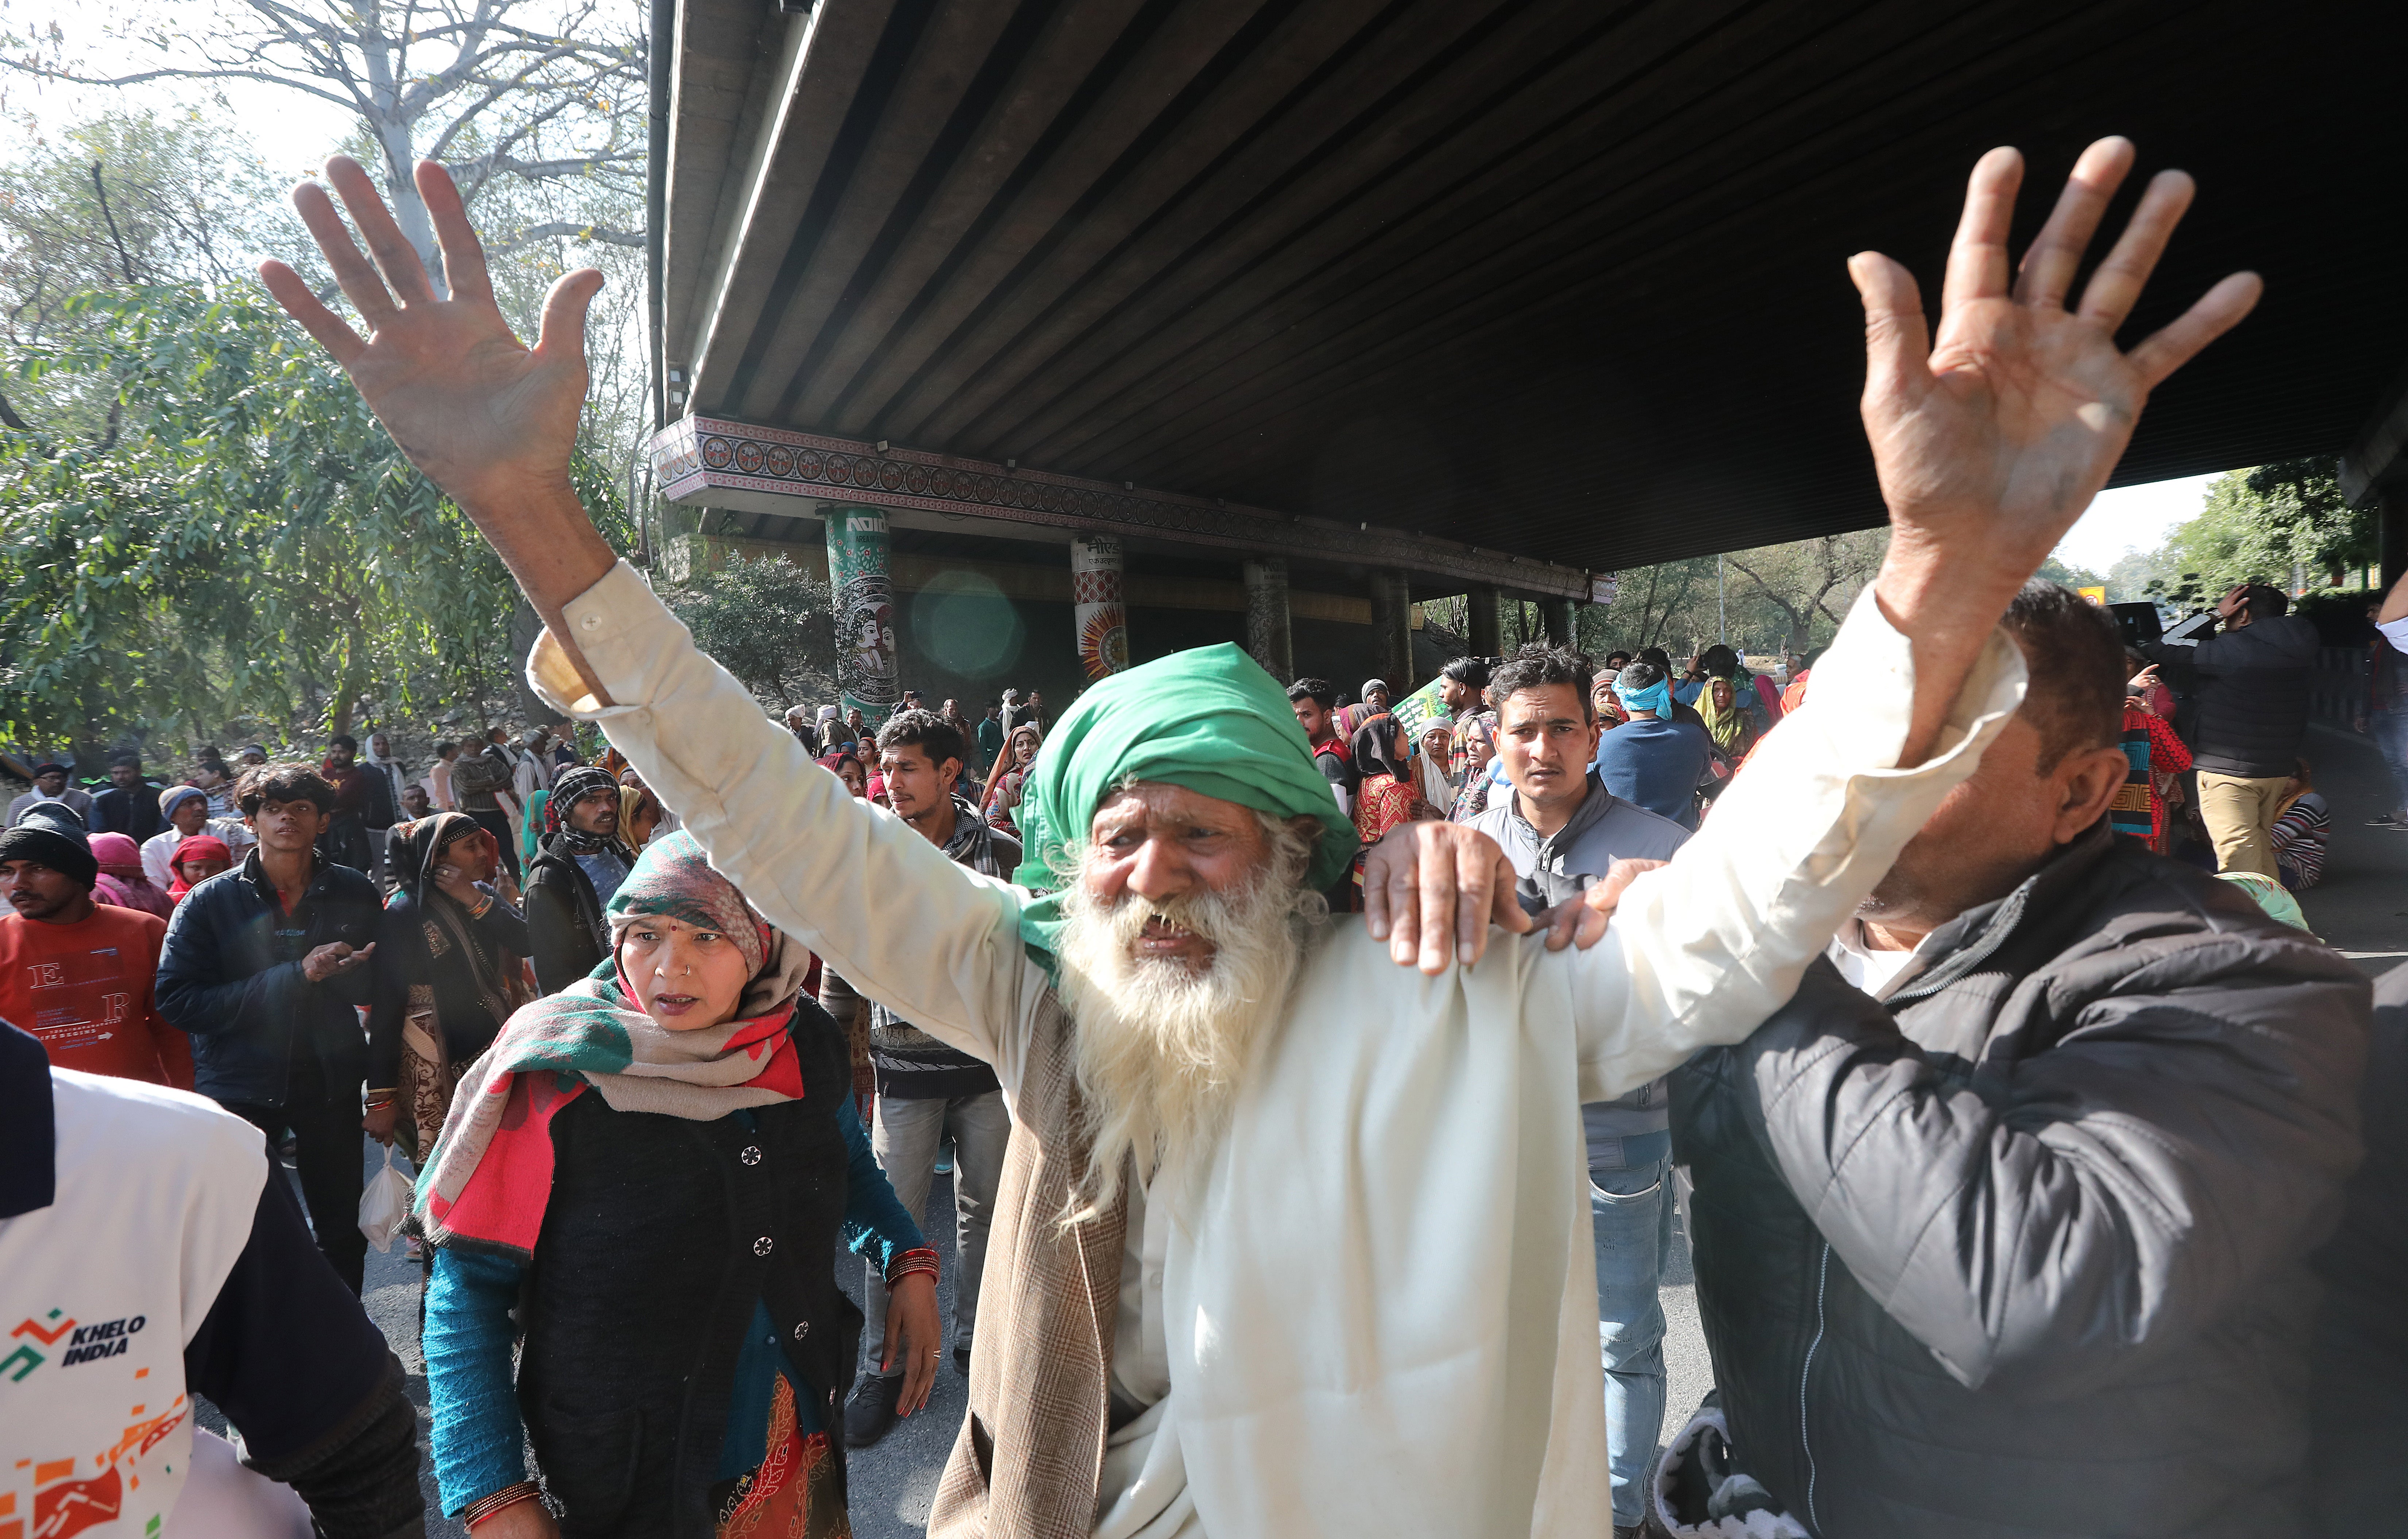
[(1432, 892)]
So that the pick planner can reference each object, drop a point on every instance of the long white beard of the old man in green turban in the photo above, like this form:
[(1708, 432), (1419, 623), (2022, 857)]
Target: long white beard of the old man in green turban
[(1162, 1049)]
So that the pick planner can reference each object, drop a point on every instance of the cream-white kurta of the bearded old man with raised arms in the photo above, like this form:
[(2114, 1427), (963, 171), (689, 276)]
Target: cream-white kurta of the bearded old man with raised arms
[(1376, 1302)]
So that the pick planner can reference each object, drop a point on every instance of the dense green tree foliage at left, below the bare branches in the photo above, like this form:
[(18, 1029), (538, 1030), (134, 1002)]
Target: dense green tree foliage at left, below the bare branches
[(247, 543)]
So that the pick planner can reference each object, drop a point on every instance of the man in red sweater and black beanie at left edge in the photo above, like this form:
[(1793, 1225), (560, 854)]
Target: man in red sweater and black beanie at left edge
[(78, 974)]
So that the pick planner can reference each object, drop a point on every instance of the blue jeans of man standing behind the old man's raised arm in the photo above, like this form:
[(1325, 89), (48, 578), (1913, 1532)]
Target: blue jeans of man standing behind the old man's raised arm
[(1631, 1213)]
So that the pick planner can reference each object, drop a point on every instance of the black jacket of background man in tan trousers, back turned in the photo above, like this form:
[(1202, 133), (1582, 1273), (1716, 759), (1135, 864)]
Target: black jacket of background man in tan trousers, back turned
[(2248, 688)]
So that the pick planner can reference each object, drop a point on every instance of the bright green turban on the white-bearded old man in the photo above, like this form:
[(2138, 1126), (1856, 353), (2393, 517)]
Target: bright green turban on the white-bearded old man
[(1205, 719)]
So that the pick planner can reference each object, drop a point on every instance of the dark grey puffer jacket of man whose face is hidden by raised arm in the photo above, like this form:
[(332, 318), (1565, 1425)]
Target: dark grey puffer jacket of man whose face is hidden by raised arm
[(2024, 1249)]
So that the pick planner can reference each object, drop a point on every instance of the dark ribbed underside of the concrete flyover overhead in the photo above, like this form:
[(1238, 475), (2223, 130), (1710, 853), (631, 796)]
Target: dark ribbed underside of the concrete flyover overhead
[(1550, 278)]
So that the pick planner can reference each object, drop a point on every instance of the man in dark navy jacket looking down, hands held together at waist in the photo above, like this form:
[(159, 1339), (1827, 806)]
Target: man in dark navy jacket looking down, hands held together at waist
[(264, 967)]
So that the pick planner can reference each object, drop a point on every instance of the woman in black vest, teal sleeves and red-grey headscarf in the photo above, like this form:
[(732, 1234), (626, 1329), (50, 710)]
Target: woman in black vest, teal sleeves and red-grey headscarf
[(647, 1177)]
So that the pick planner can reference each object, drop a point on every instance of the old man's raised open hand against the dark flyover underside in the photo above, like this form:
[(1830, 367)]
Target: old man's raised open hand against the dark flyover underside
[(1995, 437)]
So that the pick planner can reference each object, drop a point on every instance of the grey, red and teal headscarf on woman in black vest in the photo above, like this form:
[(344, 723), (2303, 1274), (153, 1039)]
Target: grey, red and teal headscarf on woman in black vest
[(490, 1177)]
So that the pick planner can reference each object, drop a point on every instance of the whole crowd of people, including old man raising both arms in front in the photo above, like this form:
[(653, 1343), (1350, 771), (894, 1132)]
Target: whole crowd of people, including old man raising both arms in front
[(2029, 1164)]
